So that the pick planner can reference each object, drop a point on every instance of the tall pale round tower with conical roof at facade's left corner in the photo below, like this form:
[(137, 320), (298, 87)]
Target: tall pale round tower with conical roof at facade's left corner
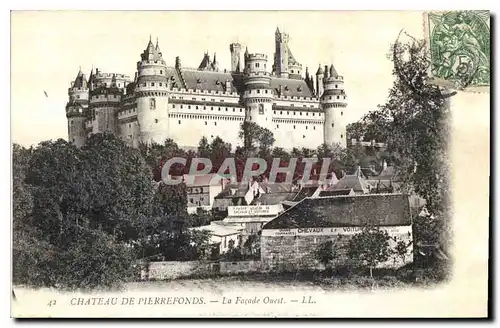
[(151, 96)]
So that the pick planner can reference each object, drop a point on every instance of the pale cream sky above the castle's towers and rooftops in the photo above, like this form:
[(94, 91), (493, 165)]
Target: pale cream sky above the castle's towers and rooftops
[(49, 47)]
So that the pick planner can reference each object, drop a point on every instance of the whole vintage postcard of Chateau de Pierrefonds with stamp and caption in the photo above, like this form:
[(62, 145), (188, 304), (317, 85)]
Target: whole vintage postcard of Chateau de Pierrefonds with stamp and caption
[(258, 164)]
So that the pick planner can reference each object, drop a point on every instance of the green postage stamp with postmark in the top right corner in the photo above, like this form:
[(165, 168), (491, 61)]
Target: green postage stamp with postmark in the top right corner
[(459, 47)]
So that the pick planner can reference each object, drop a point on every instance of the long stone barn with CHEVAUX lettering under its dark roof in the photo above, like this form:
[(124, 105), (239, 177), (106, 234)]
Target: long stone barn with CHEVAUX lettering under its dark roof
[(291, 239)]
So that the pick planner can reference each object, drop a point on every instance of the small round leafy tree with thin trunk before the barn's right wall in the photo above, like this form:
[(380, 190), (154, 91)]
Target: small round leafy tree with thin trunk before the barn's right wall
[(369, 248)]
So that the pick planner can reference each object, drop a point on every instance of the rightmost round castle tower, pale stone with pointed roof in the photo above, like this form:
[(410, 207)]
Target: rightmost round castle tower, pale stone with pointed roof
[(334, 101)]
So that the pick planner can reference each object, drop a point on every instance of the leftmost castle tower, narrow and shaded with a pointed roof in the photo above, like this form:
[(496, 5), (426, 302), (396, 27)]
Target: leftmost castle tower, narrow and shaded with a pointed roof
[(76, 109)]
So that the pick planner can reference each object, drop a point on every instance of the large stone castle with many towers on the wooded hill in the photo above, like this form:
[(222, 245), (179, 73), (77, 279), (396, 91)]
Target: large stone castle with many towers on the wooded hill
[(186, 104)]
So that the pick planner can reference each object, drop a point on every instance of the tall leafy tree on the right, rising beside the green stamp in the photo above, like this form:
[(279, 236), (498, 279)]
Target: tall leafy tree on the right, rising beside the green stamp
[(416, 122)]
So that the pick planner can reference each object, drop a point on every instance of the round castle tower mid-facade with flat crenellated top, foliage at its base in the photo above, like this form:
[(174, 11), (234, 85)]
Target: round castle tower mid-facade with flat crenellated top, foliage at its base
[(258, 95)]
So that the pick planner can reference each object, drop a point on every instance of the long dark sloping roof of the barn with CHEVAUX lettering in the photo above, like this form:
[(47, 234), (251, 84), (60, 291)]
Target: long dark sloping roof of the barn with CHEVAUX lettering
[(345, 211)]
